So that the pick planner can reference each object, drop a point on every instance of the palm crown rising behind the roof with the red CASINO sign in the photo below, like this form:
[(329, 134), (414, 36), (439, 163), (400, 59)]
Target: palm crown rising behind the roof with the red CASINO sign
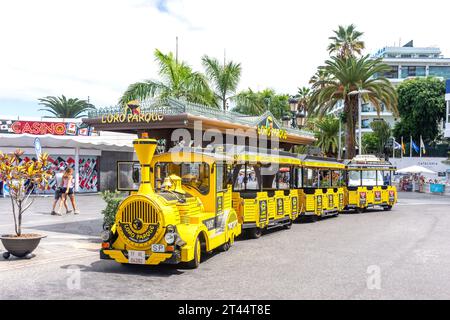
[(61, 107)]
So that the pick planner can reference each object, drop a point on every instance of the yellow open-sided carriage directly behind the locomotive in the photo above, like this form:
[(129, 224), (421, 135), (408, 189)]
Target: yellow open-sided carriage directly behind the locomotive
[(265, 194)]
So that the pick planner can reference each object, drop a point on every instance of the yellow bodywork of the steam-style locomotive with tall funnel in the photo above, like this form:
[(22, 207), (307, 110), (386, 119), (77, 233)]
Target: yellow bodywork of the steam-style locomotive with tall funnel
[(144, 217)]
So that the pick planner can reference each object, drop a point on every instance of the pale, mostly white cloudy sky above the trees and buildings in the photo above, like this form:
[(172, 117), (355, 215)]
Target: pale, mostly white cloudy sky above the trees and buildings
[(96, 48)]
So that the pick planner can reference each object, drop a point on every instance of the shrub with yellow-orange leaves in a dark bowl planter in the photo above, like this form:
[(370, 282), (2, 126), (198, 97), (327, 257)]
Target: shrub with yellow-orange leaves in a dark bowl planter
[(22, 177)]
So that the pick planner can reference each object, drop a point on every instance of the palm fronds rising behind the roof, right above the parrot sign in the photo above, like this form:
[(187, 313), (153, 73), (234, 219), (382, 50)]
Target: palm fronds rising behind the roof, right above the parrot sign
[(178, 80)]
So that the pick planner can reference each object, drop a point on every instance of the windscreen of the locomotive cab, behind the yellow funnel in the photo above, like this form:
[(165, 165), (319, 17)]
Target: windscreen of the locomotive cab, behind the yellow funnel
[(195, 175)]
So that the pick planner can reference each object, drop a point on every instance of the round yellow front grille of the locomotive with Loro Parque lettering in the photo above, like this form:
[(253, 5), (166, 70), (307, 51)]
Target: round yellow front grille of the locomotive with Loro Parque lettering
[(139, 222)]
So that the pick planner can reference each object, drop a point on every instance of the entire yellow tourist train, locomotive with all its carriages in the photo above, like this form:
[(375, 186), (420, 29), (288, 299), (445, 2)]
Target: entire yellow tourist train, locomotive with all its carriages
[(190, 201)]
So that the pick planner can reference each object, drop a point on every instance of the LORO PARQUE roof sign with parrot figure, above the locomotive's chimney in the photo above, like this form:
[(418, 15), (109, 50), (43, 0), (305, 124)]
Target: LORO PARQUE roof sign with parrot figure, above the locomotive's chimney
[(132, 113)]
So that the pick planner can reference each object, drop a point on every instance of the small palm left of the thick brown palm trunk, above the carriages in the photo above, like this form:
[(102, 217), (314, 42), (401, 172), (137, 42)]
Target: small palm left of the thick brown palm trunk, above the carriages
[(327, 130)]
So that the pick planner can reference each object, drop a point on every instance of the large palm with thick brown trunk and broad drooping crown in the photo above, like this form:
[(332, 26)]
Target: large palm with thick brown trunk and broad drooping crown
[(347, 75)]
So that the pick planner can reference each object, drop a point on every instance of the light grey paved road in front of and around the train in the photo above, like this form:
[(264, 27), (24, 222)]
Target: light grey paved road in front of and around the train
[(402, 254)]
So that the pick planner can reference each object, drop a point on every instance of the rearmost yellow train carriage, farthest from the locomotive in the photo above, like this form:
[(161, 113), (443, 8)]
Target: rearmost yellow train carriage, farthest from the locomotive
[(369, 183)]
